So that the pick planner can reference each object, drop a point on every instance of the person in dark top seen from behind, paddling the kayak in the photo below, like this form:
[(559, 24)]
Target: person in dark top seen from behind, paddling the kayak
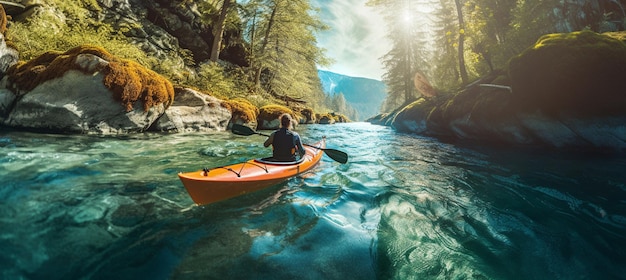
[(284, 141)]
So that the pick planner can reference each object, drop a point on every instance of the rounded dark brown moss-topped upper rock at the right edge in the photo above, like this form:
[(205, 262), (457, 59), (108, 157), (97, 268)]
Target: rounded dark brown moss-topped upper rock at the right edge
[(579, 73)]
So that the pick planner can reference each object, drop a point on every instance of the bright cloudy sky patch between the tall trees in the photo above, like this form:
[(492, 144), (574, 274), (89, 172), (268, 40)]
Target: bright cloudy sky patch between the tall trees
[(356, 40)]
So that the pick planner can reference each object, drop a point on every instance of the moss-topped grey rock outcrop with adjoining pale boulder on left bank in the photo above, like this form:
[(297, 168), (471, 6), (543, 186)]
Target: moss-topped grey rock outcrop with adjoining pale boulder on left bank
[(87, 90)]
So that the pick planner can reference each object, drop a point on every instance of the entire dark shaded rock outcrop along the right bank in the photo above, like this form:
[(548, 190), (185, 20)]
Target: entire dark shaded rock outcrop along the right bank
[(567, 92)]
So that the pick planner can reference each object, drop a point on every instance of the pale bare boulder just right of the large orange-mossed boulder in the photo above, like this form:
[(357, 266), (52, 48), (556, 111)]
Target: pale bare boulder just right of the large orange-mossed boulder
[(193, 112)]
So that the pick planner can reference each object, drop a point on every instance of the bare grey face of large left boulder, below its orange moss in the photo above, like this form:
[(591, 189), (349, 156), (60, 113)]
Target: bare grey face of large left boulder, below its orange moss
[(79, 103)]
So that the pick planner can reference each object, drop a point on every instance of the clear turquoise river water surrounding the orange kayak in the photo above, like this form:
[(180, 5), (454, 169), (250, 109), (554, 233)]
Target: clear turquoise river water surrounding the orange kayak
[(404, 207)]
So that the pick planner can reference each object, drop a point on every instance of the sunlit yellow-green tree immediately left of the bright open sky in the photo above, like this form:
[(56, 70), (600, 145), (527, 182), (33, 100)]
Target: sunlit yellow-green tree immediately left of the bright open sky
[(283, 48)]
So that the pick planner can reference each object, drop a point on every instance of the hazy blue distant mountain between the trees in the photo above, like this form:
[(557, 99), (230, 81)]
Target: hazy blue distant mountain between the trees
[(364, 95)]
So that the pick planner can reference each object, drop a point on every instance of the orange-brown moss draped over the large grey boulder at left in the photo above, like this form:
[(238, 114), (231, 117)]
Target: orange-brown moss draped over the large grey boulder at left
[(129, 81)]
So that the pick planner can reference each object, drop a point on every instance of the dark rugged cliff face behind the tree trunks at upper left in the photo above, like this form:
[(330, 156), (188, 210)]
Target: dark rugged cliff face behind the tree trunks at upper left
[(166, 26)]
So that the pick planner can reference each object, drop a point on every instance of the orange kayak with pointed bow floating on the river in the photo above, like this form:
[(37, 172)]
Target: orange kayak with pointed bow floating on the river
[(221, 183)]
